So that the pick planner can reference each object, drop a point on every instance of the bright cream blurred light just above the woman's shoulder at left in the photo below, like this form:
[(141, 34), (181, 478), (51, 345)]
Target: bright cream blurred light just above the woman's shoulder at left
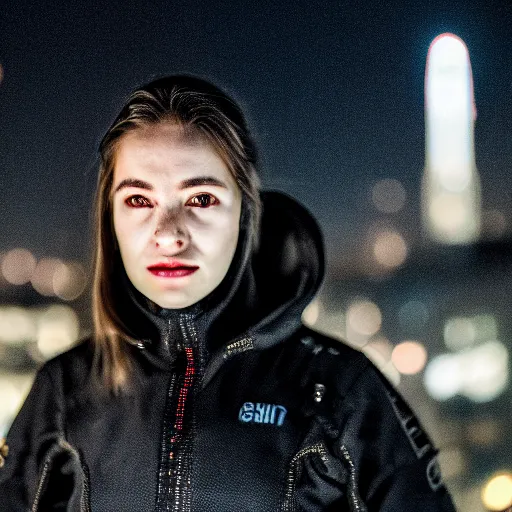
[(57, 330)]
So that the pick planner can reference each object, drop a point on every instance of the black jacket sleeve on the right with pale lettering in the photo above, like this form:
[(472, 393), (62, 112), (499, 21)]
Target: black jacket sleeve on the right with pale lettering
[(392, 461)]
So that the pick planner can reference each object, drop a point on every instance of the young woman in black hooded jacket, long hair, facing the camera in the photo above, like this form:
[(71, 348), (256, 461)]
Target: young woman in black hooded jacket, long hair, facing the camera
[(201, 390)]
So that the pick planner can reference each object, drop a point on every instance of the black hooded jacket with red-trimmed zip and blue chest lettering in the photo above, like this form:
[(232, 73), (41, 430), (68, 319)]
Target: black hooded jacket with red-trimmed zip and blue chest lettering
[(234, 405)]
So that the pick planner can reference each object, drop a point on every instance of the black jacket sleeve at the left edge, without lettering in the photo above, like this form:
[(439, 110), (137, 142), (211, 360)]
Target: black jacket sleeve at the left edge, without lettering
[(34, 429)]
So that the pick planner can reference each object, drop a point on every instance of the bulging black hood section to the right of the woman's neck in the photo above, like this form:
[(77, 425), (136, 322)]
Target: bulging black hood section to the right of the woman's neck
[(288, 268)]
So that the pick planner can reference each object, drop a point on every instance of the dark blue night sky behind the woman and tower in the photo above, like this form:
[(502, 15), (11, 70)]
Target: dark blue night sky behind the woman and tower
[(333, 92)]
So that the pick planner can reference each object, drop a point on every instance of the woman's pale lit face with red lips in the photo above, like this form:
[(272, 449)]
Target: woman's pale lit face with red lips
[(176, 210)]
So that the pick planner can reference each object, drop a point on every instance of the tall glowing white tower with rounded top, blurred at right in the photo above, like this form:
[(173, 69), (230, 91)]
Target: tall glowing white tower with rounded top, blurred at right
[(451, 186)]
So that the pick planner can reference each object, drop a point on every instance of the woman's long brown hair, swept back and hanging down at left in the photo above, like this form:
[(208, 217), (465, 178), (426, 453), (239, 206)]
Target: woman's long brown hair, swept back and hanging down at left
[(203, 110)]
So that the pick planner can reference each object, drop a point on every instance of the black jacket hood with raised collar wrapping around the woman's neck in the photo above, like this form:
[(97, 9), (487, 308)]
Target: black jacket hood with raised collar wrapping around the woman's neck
[(260, 301)]
